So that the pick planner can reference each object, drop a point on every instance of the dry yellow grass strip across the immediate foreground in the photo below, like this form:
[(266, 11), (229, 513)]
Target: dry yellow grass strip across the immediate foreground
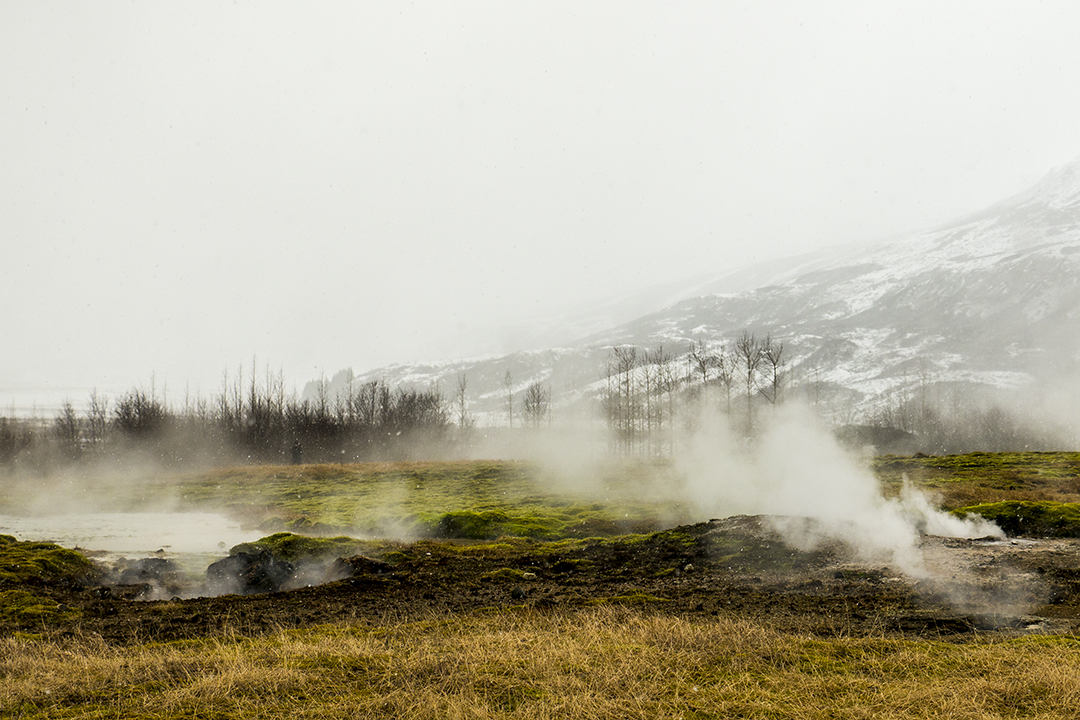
[(598, 663)]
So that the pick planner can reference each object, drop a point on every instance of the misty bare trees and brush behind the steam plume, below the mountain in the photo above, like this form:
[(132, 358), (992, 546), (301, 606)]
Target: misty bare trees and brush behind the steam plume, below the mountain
[(652, 398)]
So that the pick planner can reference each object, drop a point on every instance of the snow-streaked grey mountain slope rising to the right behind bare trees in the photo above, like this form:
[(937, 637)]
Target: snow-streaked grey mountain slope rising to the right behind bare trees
[(992, 300)]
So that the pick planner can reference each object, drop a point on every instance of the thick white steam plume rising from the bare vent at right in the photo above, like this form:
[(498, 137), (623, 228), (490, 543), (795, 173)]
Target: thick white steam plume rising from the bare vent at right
[(796, 472)]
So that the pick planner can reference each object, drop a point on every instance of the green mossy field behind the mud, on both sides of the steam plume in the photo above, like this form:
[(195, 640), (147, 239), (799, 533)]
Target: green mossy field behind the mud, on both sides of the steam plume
[(484, 500)]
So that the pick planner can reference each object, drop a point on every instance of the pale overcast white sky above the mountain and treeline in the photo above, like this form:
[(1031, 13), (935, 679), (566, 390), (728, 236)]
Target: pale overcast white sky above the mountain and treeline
[(188, 188)]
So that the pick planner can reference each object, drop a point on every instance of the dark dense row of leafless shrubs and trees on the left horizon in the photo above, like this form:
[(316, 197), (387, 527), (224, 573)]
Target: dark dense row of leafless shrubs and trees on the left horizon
[(249, 422)]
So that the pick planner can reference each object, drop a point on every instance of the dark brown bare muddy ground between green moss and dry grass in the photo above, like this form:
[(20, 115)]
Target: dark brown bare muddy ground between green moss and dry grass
[(736, 568)]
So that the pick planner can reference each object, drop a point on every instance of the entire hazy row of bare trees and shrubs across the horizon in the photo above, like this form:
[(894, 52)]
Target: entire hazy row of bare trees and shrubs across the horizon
[(649, 401)]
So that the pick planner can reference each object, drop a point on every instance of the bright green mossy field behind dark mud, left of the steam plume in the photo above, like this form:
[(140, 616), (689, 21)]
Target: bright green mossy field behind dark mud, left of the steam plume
[(436, 499)]
